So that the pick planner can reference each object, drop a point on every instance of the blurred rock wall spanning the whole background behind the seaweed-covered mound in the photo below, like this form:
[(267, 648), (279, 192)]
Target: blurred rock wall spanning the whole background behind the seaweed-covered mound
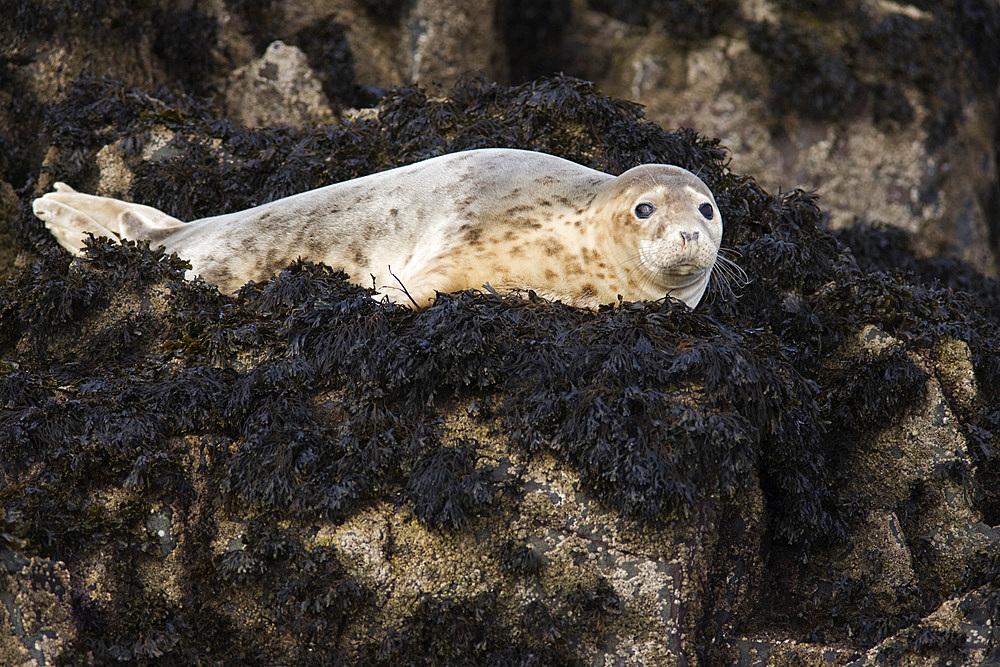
[(884, 108)]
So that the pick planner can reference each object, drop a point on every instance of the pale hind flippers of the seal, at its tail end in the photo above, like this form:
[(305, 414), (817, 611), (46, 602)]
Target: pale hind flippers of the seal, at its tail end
[(71, 215)]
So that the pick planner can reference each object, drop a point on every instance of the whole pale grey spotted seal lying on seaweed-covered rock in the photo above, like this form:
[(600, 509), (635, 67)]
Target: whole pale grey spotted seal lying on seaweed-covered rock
[(511, 218)]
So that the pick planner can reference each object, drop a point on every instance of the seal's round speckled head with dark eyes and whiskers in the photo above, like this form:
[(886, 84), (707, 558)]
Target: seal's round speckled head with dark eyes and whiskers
[(667, 230)]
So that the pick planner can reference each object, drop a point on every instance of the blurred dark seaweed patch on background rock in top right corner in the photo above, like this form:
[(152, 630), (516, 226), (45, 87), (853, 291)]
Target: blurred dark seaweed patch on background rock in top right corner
[(830, 62)]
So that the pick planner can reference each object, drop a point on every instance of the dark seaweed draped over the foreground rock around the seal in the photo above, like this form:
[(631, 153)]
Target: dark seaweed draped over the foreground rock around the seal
[(301, 399)]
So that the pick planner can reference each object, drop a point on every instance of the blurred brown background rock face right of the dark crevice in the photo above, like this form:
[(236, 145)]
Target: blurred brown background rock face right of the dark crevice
[(868, 113)]
